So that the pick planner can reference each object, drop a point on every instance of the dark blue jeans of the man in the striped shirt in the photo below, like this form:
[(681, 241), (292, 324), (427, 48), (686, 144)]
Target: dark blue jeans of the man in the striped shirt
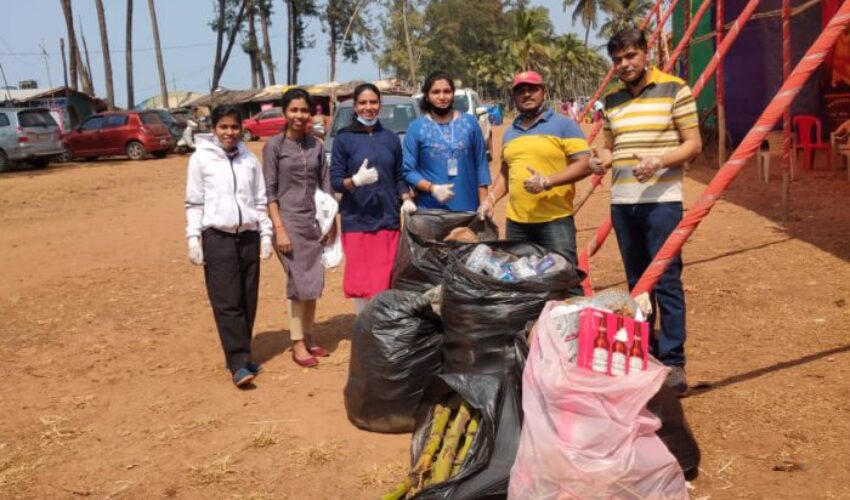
[(641, 231)]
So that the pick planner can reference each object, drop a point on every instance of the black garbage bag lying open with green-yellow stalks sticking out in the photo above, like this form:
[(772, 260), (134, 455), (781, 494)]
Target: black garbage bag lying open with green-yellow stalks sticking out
[(486, 472)]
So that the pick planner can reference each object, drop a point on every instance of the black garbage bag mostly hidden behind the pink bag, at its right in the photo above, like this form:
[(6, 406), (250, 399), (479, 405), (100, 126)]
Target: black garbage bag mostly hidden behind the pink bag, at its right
[(675, 431)]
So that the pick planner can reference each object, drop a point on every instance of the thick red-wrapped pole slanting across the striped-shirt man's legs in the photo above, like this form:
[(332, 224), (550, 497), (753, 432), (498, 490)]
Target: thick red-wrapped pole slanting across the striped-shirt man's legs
[(747, 149)]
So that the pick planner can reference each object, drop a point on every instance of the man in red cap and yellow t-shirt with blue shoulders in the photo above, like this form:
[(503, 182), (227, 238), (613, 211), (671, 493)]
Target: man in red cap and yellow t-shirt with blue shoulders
[(543, 154)]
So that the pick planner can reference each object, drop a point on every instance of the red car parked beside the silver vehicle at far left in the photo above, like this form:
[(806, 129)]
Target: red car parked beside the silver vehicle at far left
[(131, 133)]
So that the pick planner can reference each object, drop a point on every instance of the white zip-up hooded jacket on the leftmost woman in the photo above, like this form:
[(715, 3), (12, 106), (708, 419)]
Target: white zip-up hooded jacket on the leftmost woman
[(228, 195)]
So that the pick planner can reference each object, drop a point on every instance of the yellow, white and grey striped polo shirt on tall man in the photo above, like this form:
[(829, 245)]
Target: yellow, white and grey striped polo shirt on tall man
[(648, 124)]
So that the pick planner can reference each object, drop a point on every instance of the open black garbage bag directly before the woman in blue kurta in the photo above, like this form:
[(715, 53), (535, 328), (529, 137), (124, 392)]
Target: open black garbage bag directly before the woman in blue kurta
[(423, 256)]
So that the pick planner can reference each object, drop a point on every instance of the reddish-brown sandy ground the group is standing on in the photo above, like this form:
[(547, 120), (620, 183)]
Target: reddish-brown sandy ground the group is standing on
[(114, 385)]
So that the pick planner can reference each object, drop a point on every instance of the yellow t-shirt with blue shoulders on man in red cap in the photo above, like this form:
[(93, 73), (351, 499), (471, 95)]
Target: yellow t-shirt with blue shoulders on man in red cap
[(548, 146)]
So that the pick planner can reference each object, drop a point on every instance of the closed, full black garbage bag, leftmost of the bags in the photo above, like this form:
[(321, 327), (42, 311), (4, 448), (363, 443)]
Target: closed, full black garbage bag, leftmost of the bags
[(395, 353)]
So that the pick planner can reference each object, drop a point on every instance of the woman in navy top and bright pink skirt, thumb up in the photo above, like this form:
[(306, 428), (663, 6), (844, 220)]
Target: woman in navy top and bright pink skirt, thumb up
[(366, 166)]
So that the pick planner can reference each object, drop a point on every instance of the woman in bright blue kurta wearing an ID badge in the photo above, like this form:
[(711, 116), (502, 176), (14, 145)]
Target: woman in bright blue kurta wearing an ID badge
[(445, 156)]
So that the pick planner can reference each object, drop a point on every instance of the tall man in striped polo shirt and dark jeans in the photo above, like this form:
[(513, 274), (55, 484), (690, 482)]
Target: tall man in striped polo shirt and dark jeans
[(651, 130)]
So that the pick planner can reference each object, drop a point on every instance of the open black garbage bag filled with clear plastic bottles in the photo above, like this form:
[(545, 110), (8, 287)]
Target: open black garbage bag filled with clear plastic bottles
[(482, 315)]
